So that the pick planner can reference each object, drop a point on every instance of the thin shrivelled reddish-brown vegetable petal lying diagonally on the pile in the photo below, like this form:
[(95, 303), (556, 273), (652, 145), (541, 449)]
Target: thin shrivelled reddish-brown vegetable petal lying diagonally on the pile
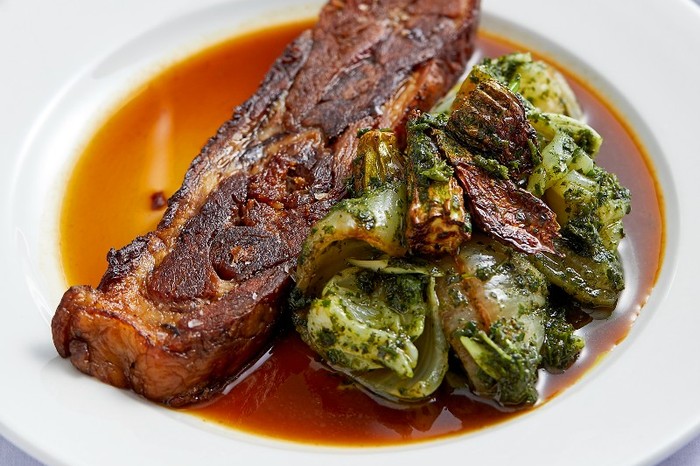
[(499, 207)]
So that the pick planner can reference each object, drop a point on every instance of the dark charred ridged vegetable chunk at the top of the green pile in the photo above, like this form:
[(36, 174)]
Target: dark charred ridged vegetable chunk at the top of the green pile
[(491, 120)]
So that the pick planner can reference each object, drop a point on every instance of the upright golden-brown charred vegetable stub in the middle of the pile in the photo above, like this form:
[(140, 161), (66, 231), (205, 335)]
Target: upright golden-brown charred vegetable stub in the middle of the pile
[(437, 221)]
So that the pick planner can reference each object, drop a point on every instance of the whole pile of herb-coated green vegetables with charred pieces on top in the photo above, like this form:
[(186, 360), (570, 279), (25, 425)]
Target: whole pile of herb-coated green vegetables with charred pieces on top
[(458, 241)]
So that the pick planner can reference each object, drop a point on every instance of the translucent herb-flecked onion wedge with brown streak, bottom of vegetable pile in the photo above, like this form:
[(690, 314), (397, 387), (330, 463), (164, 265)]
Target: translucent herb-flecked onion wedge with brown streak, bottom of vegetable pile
[(493, 305)]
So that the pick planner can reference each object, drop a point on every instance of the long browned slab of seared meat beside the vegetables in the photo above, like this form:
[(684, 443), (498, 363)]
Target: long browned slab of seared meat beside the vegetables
[(181, 310)]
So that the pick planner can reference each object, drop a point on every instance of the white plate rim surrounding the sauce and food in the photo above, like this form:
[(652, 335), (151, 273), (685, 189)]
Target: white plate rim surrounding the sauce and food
[(65, 63)]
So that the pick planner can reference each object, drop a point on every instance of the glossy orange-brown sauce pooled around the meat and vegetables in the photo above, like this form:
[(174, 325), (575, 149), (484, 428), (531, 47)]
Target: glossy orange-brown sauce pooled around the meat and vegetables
[(140, 154)]
